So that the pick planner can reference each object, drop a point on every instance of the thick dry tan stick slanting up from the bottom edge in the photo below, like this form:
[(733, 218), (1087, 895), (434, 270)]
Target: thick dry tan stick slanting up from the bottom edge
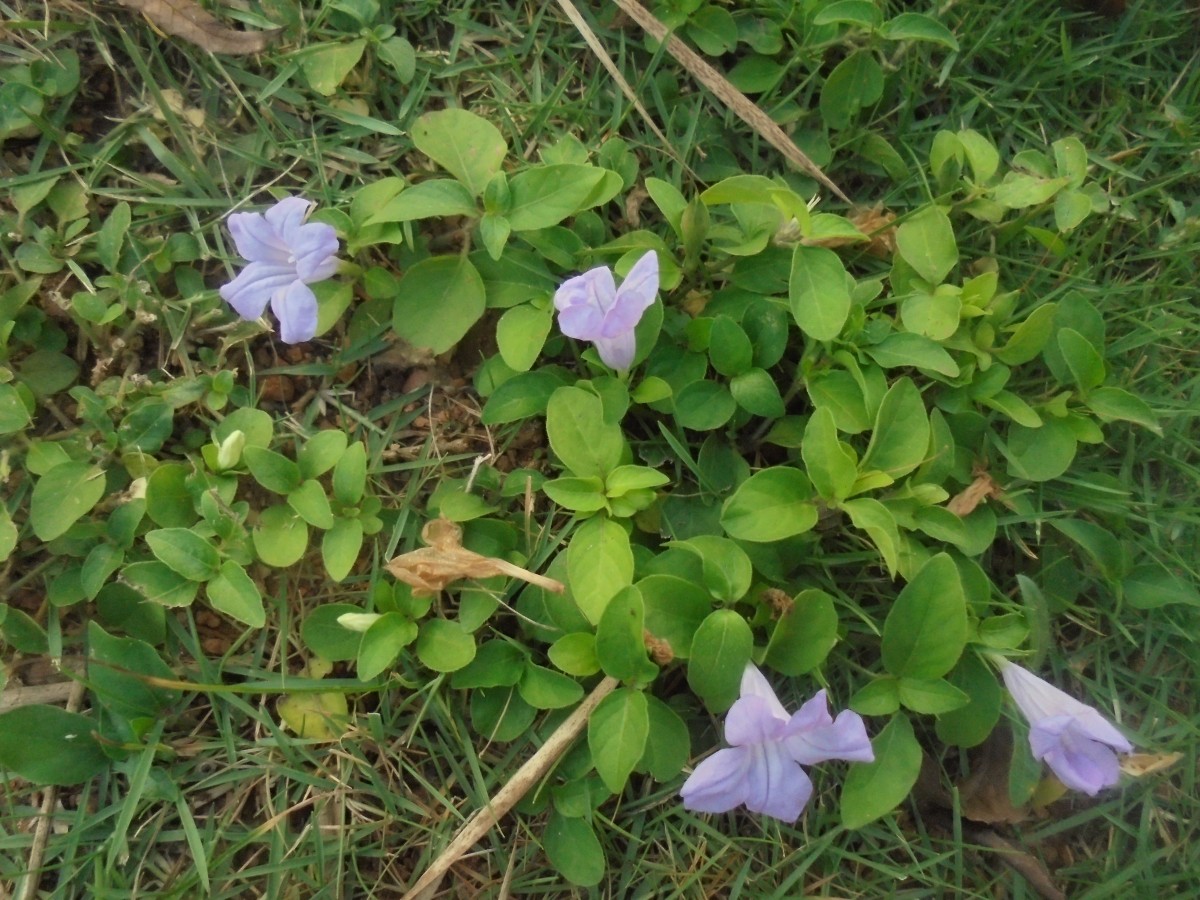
[(535, 770)]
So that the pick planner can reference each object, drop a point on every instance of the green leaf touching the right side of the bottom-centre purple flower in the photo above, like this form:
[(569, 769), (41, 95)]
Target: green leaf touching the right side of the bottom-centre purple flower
[(873, 790)]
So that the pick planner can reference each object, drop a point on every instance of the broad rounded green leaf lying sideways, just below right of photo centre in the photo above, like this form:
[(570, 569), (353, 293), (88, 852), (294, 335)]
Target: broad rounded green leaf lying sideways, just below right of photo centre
[(771, 506)]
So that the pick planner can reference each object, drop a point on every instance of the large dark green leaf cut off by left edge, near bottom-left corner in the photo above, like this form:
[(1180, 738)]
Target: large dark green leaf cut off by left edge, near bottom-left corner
[(49, 746)]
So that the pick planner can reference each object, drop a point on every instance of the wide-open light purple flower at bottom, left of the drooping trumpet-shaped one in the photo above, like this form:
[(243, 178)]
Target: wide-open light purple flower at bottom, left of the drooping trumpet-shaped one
[(763, 770)]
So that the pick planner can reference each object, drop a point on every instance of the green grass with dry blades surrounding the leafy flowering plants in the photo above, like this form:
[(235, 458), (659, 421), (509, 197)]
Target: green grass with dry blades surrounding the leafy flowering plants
[(239, 807)]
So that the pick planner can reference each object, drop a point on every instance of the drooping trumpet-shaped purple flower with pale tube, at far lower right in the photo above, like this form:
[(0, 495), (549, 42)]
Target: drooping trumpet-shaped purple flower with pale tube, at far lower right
[(1075, 741)]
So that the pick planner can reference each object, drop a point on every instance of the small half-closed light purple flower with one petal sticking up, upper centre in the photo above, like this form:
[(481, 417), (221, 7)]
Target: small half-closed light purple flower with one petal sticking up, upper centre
[(592, 308)]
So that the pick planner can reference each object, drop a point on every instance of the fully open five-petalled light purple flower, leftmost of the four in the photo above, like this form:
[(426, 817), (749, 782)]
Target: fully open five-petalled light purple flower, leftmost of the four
[(286, 256)]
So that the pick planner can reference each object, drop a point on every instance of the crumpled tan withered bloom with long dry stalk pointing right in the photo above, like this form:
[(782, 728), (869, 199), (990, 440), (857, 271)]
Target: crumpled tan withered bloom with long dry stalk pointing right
[(430, 569)]
